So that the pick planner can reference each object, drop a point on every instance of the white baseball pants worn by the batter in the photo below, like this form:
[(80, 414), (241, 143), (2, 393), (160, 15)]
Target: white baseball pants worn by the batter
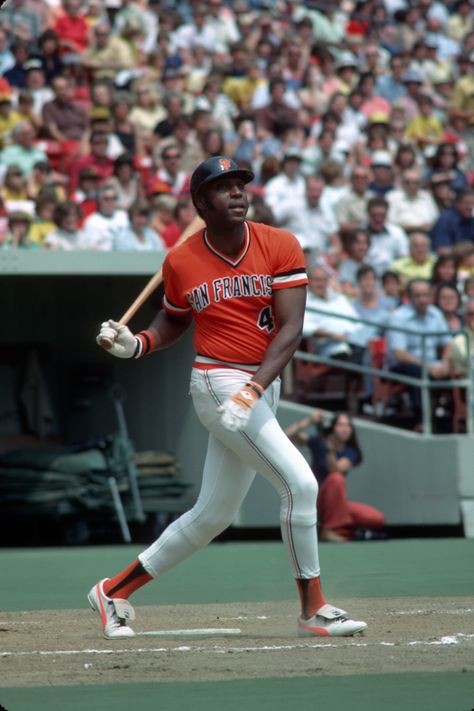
[(232, 460)]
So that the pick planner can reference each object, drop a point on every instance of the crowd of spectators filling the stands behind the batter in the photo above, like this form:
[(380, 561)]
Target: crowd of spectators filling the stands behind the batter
[(357, 118)]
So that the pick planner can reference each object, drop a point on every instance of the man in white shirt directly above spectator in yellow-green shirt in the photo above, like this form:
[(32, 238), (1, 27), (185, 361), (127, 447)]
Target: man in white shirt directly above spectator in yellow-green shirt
[(410, 207)]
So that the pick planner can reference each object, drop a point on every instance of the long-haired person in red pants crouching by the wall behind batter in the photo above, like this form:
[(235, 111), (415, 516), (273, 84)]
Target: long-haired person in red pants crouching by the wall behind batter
[(335, 452)]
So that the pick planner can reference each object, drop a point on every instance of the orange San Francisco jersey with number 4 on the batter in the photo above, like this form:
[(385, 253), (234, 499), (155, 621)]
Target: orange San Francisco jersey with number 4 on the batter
[(231, 299)]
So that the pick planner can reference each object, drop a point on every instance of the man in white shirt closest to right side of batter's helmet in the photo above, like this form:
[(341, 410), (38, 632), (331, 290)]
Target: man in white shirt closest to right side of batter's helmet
[(285, 194)]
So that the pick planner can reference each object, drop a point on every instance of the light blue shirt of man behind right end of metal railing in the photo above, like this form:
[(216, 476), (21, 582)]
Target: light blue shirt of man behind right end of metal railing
[(406, 317)]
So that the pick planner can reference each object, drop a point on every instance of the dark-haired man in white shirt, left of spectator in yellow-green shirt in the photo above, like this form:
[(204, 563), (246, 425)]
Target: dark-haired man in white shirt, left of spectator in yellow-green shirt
[(387, 242)]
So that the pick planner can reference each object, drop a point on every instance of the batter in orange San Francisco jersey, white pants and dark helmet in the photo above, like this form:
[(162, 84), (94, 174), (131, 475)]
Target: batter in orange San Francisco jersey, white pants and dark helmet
[(244, 285)]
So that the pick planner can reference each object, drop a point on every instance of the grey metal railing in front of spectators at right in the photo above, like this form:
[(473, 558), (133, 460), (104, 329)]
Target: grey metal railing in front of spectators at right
[(425, 383)]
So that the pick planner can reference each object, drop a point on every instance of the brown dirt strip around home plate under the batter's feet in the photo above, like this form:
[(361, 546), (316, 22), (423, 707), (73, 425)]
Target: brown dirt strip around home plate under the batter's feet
[(66, 647)]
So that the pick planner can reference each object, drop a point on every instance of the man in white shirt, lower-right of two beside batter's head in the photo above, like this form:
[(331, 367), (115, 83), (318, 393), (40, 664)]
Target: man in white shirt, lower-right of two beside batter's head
[(314, 224)]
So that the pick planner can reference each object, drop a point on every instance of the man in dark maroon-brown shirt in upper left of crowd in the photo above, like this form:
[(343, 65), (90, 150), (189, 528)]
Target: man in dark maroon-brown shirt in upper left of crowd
[(63, 118)]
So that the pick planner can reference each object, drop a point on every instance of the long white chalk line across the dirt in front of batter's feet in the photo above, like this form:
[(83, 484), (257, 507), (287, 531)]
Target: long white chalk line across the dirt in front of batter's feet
[(447, 640)]
